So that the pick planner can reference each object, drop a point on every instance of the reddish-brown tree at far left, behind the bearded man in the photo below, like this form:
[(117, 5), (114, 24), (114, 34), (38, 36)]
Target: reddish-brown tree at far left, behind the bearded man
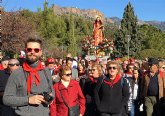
[(16, 30)]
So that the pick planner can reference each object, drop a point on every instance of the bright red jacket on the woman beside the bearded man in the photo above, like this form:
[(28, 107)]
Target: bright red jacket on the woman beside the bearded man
[(72, 95)]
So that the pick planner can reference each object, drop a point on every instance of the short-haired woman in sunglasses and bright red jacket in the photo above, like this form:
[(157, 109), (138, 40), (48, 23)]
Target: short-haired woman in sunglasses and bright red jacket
[(71, 93)]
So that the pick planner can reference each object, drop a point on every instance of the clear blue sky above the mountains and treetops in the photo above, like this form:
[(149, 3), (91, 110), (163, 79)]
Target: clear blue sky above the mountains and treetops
[(146, 10)]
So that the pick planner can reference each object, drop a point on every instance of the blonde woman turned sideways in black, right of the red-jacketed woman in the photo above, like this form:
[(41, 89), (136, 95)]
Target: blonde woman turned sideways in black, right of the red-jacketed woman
[(88, 89)]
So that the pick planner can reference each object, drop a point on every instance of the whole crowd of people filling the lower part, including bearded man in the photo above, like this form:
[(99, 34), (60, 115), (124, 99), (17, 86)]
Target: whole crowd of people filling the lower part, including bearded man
[(80, 87)]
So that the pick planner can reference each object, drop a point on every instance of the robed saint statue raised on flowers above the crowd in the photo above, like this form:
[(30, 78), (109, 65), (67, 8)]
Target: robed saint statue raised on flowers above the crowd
[(98, 29)]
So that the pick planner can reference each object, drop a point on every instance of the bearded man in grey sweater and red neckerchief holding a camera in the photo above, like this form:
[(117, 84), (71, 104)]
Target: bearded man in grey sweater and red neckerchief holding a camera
[(29, 89)]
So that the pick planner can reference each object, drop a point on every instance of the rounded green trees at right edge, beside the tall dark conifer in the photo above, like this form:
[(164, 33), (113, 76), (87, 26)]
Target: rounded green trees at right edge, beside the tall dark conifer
[(153, 41)]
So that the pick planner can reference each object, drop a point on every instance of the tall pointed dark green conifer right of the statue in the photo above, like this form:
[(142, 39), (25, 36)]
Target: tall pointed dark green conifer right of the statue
[(127, 42)]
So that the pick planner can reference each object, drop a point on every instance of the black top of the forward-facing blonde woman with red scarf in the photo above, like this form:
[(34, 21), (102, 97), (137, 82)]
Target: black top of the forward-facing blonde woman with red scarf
[(111, 99)]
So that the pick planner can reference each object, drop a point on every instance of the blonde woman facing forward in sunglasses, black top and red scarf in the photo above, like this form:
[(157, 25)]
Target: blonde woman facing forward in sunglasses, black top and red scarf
[(111, 92)]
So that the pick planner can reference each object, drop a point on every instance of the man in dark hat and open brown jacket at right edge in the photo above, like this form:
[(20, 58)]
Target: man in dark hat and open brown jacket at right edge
[(152, 91)]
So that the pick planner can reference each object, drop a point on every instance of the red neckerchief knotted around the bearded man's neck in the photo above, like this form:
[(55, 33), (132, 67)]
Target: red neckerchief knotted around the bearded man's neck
[(32, 72)]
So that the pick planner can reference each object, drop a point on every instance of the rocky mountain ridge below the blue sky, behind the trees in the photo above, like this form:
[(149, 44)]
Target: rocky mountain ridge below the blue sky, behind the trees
[(92, 13)]
